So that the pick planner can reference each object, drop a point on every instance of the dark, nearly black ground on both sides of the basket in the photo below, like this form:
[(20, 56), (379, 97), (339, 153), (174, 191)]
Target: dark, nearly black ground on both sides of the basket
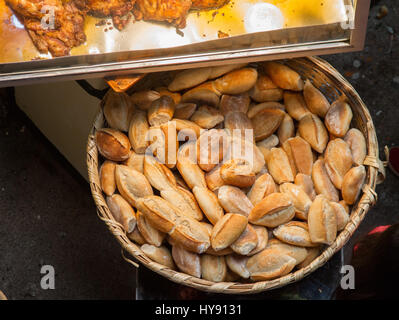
[(47, 215)]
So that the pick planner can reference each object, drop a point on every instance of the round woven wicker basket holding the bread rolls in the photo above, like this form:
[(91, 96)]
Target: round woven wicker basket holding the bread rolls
[(333, 85)]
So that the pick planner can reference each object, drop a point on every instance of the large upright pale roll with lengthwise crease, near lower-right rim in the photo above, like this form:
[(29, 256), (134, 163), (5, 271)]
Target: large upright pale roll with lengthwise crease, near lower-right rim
[(322, 221)]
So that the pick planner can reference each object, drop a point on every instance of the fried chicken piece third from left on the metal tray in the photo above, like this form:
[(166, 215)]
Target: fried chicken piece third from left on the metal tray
[(172, 11)]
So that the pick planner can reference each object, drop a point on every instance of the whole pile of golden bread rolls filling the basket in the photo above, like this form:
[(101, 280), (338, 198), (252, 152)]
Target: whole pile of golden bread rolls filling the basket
[(196, 206)]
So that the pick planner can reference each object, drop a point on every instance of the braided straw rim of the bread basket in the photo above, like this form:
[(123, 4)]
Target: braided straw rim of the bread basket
[(367, 200)]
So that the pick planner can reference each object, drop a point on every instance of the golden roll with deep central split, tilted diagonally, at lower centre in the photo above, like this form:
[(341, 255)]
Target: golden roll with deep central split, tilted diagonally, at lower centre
[(227, 230)]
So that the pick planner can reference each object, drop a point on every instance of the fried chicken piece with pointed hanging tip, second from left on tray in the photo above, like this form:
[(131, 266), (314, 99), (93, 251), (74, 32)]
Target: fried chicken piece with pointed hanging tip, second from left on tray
[(117, 9)]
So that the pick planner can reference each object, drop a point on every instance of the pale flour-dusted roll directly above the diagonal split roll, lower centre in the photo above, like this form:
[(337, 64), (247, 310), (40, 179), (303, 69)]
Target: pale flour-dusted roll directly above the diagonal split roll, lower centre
[(234, 200)]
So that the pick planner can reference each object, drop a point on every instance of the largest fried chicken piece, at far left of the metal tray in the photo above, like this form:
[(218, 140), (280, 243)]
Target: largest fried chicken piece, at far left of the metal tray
[(66, 33)]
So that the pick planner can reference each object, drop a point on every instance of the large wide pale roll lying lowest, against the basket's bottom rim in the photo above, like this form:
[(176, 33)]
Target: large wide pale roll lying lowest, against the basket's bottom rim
[(269, 264)]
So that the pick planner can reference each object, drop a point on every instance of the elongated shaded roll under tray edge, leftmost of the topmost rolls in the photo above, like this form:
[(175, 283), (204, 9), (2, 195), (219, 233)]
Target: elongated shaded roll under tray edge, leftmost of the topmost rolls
[(189, 78)]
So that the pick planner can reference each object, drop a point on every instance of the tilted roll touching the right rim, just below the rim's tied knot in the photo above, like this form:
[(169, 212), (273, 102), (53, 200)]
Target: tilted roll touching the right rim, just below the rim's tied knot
[(352, 184)]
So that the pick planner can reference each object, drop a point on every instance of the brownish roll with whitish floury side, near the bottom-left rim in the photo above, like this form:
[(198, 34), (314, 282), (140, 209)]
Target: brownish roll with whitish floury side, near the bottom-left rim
[(187, 262)]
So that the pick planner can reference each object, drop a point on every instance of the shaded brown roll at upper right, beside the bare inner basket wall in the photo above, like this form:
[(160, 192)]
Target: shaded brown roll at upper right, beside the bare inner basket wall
[(283, 76)]
